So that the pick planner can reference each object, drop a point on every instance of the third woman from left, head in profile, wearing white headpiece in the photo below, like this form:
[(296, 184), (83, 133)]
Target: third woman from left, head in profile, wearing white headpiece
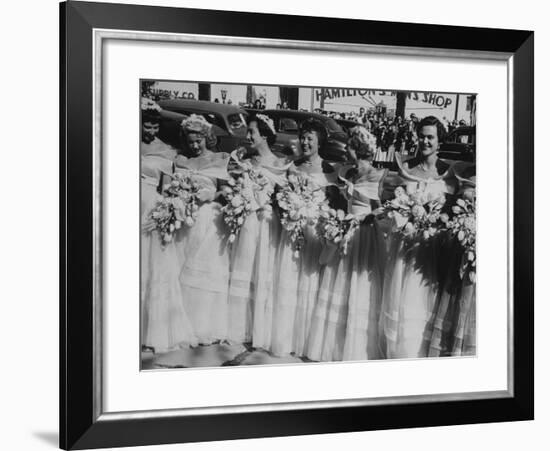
[(253, 253)]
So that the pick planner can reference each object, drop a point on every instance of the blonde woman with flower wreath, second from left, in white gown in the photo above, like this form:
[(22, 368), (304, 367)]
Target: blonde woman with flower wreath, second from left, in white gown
[(202, 247)]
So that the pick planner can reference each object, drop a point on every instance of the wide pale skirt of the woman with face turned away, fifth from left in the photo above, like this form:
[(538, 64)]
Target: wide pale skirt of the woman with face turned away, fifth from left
[(346, 315)]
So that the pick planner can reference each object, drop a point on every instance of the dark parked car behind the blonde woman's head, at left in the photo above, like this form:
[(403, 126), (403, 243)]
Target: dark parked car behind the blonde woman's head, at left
[(228, 121)]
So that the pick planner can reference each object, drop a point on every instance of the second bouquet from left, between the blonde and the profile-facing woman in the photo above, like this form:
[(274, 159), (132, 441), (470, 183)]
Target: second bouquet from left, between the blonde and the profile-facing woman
[(240, 202)]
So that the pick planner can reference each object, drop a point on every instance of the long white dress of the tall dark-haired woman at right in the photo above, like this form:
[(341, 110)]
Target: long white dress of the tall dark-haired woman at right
[(411, 282)]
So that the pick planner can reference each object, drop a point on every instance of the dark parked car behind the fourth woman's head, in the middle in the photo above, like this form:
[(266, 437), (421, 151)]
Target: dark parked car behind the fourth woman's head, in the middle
[(287, 125)]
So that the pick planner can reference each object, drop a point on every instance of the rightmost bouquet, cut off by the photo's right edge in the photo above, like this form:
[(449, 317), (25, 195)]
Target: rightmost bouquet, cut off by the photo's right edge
[(463, 227)]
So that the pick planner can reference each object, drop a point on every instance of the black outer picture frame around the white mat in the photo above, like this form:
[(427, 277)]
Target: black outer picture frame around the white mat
[(80, 424)]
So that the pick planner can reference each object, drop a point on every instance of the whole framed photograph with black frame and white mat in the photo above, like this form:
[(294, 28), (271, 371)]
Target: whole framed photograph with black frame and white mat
[(284, 225)]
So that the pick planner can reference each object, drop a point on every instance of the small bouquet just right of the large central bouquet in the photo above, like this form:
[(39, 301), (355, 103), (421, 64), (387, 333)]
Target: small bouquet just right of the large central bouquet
[(334, 226)]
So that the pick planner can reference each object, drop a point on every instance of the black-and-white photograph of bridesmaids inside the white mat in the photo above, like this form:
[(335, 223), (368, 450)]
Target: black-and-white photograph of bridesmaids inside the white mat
[(305, 224)]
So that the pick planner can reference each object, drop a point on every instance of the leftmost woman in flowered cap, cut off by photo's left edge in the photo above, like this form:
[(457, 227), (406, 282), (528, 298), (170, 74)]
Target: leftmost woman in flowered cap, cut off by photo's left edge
[(164, 323)]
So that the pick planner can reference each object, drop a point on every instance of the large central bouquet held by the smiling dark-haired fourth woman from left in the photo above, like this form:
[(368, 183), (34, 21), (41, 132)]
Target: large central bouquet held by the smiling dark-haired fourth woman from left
[(300, 203)]
